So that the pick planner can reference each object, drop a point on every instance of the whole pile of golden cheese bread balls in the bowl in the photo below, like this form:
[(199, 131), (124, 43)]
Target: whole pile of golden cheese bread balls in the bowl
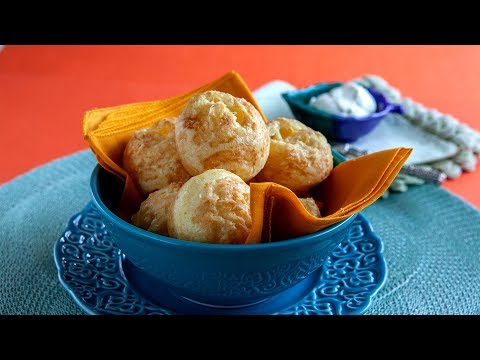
[(196, 168)]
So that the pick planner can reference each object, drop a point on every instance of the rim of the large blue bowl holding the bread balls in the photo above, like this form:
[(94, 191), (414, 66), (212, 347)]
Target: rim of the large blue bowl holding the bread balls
[(172, 242)]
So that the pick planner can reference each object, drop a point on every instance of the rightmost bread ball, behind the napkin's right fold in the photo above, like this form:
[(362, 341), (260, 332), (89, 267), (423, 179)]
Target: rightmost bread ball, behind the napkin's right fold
[(300, 157)]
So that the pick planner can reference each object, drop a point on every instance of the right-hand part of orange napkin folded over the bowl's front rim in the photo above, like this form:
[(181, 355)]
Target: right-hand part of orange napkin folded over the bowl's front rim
[(277, 213)]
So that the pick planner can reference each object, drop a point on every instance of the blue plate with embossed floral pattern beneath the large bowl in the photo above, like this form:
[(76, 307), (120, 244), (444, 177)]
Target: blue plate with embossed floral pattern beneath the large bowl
[(101, 280)]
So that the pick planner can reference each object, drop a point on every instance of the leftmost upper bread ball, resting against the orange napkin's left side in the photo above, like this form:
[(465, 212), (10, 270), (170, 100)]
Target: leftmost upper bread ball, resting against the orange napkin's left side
[(151, 157)]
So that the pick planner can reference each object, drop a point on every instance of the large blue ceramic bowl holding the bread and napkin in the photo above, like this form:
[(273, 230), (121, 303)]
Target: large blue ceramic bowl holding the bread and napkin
[(212, 274)]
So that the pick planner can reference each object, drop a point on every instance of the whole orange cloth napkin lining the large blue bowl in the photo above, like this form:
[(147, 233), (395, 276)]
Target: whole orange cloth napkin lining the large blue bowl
[(277, 213)]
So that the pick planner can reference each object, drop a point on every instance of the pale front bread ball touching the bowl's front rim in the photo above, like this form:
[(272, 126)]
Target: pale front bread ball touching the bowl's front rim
[(212, 207)]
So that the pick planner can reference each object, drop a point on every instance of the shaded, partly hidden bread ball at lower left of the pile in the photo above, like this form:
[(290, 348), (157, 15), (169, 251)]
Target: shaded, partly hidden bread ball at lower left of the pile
[(153, 213)]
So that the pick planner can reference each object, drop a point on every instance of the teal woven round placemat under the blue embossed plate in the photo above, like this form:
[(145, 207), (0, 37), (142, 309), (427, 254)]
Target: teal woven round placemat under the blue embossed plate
[(431, 238)]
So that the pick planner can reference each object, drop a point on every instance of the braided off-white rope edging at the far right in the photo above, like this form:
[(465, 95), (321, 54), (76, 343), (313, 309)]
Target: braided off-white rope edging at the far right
[(433, 121)]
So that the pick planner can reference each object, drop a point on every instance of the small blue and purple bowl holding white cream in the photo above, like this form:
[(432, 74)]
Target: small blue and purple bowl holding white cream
[(336, 127)]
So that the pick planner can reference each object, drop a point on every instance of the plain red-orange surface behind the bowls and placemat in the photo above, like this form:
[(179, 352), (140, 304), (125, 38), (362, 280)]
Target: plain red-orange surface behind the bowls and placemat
[(44, 90)]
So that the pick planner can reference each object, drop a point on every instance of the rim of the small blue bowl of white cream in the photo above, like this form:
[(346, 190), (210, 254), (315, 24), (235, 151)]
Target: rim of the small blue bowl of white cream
[(291, 98)]
